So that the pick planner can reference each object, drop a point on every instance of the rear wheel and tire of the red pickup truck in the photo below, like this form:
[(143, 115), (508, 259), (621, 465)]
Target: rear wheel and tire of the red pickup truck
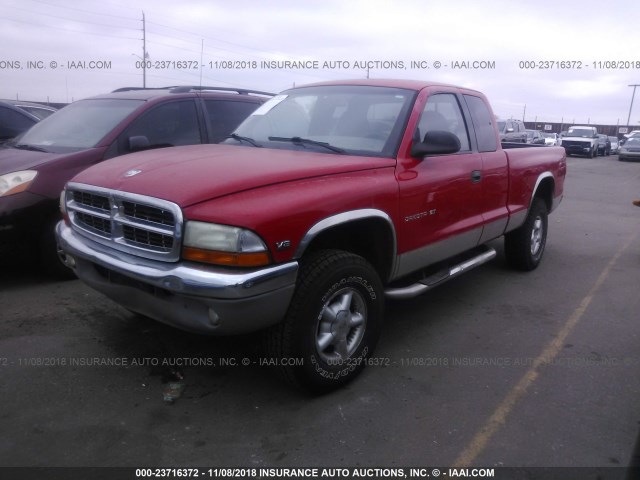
[(524, 246)]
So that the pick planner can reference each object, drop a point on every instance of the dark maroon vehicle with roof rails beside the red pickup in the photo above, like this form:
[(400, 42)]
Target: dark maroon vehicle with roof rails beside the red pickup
[(35, 166)]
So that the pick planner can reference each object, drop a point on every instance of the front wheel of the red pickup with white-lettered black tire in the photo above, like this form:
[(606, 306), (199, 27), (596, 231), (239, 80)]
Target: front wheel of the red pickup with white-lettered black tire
[(333, 323)]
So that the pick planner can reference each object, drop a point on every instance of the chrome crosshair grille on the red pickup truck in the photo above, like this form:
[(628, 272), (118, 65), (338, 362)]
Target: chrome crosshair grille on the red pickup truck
[(136, 224)]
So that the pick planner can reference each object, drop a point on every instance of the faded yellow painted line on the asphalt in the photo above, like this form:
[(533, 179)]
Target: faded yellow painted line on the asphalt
[(499, 417)]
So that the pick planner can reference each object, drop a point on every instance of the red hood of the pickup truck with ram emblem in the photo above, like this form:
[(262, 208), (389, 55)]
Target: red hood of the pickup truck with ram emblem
[(193, 174)]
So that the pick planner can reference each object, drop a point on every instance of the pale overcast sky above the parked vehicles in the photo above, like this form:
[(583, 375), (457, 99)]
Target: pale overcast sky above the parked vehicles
[(546, 59)]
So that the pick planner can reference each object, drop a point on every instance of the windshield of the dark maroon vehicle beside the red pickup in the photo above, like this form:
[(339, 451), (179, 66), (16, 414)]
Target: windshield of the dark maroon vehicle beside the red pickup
[(78, 126)]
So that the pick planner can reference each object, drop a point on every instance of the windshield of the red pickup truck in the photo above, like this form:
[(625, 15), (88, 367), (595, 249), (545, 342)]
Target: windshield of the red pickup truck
[(358, 120)]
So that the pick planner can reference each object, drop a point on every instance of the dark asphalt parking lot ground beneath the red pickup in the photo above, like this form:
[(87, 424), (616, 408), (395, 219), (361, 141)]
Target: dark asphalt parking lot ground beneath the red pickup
[(496, 368)]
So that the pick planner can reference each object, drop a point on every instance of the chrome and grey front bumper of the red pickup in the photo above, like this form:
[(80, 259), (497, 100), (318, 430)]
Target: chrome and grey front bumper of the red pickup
[(189, 296)]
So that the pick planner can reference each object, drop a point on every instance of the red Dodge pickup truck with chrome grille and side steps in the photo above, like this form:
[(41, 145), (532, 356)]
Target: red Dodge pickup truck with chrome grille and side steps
[(327, 199)]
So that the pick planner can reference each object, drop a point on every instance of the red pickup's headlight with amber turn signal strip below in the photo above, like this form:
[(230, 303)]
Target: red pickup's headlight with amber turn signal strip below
[(223, 245)]
